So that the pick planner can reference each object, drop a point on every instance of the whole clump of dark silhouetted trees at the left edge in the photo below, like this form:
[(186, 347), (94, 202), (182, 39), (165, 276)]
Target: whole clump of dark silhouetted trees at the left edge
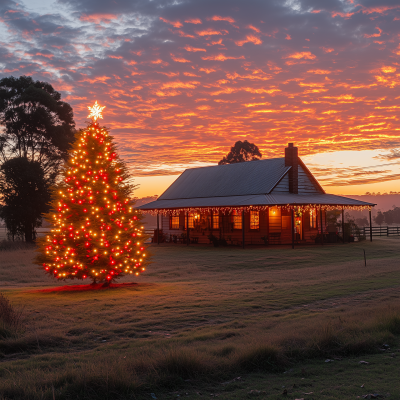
[(36, 131)]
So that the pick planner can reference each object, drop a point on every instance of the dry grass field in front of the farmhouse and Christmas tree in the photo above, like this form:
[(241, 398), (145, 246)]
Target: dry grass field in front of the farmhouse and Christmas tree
[(207, 322)]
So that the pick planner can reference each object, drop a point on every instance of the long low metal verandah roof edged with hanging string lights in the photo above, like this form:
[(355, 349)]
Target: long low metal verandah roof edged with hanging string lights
[(255, 200)]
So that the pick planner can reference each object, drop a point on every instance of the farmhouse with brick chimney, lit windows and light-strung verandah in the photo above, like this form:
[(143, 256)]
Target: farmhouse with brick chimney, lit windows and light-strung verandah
[(273, 201)]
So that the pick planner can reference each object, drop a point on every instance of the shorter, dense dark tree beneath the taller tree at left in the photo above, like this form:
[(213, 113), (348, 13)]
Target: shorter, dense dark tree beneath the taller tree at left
[(25, 196)]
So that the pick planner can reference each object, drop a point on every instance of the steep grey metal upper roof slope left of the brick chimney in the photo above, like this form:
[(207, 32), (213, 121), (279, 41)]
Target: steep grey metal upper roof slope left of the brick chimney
[(246, 178)]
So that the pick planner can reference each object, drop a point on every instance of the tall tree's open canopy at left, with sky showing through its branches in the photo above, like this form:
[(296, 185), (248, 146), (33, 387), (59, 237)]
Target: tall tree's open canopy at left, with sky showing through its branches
[(37, 124)]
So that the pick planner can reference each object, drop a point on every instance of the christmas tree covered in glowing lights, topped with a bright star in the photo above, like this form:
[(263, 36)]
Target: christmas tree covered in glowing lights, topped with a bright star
[(96, 233)]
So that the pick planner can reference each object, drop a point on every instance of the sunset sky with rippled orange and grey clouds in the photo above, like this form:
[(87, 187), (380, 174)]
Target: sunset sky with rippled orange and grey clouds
[(183, 80)]
